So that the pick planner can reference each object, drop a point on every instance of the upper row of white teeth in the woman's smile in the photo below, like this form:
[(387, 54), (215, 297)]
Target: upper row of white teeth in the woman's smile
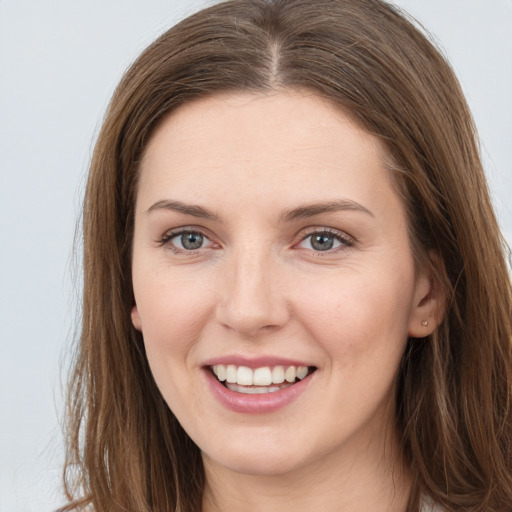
[(264, 376)]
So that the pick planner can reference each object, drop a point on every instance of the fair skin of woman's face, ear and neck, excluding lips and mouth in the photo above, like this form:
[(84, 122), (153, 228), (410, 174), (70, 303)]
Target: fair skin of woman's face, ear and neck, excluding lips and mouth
[(257, 287)]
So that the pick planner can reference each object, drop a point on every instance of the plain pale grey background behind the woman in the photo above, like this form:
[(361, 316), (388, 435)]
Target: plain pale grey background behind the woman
[(59, 63)]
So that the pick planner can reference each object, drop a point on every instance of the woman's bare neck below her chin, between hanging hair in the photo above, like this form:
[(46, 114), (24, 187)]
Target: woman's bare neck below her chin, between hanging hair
[(362, 481)]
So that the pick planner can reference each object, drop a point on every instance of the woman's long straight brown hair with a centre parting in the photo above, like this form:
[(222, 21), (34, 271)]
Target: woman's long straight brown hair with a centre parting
[(126, 450)]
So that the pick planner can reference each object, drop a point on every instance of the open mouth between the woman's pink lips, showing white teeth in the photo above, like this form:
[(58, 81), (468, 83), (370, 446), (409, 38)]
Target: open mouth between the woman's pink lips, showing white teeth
[(266, 379)]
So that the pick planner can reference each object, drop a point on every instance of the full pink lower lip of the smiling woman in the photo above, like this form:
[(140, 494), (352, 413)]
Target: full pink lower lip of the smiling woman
[(255, 404)]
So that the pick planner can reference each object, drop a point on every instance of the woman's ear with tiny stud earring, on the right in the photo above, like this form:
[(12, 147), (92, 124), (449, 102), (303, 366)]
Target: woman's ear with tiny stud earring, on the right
[(428, 305)]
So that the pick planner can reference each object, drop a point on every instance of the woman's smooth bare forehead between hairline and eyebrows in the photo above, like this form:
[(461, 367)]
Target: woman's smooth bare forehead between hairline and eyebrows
[(286, 146)]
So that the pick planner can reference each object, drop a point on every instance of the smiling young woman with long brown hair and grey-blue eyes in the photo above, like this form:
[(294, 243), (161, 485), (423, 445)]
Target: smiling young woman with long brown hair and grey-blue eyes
[(295, 290)]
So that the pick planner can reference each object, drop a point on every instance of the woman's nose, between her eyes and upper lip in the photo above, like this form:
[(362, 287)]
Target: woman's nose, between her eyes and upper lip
[(253, 299)]
